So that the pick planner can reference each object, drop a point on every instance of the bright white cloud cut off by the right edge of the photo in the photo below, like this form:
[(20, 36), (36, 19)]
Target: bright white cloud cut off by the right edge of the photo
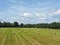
[(52, 12)]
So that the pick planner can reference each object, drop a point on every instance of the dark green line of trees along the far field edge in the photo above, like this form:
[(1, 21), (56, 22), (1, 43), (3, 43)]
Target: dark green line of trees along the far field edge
[(53, 25)]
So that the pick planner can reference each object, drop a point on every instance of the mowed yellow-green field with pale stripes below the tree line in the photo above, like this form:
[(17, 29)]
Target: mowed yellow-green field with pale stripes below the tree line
[(29, 36)]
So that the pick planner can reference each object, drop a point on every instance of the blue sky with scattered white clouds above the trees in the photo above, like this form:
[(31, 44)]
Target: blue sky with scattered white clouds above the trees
[(30, 11)]
